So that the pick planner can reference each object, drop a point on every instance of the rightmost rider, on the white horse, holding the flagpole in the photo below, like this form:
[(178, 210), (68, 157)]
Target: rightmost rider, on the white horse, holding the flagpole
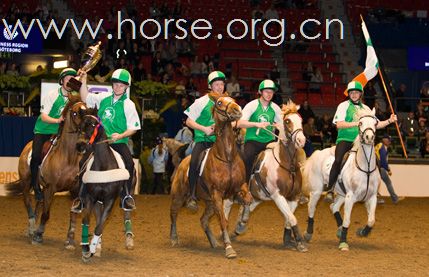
[(347, 124)]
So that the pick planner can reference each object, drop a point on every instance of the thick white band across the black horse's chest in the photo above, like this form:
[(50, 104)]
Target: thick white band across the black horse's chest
[(107, 176)]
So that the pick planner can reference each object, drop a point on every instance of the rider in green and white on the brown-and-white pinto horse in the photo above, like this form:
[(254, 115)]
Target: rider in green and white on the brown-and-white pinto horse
[(259, 115)]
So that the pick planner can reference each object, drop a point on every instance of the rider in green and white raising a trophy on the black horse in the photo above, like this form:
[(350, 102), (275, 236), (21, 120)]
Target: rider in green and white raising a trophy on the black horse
[(119, 118)]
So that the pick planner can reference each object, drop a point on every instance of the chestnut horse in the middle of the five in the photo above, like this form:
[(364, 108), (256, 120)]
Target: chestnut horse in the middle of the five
[(223, 175)]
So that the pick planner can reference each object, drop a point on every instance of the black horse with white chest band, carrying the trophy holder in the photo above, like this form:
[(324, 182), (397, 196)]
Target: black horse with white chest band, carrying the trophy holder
[(104, 178)]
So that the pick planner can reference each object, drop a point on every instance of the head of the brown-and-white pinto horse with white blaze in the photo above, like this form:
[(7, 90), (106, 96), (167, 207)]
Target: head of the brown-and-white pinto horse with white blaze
[(292, 124)]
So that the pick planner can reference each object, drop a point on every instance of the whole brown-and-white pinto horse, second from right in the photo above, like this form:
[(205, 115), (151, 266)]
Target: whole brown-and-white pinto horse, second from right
[(276, 176)]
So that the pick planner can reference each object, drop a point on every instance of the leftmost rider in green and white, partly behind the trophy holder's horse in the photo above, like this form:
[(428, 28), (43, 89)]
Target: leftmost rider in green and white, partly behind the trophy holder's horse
[(52, 105)]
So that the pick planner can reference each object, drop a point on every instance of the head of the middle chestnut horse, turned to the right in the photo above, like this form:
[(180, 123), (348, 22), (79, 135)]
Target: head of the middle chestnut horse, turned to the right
[(225, 108)]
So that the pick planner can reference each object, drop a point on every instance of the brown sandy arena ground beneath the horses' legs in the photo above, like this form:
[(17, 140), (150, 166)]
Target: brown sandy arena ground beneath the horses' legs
[(398, 245)]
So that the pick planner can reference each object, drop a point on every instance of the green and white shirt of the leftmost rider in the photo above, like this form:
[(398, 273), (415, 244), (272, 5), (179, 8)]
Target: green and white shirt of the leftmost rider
[(53, 105)]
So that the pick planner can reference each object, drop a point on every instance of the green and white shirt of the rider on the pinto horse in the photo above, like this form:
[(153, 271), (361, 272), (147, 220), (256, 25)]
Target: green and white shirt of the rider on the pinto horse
[(255, 112)]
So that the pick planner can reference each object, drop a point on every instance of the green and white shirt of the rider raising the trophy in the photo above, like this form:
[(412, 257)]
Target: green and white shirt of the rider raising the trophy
[(116, 116)]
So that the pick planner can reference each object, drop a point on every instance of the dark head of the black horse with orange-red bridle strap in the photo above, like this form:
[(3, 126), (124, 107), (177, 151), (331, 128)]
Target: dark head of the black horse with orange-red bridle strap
[(90, 130)]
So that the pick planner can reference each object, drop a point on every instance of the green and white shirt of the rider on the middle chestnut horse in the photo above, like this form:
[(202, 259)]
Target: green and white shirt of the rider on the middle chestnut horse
[(201, 112)]
